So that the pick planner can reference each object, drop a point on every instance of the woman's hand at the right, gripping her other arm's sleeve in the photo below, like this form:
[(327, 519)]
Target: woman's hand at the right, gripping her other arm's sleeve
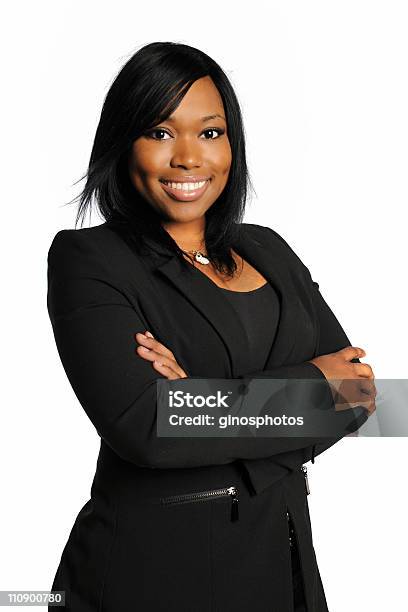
[(352, 382)]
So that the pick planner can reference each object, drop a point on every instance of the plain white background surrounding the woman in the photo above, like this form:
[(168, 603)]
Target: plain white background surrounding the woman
[(323, 89)]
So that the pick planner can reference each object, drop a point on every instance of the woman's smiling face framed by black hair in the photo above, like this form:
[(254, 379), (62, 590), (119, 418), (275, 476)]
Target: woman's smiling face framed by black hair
[(181, 166)]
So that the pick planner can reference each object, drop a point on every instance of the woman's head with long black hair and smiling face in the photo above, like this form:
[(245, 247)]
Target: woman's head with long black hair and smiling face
[(180, 126)]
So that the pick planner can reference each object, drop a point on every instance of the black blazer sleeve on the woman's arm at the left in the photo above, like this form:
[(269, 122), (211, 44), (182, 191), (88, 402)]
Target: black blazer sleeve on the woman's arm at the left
[(94, 325)]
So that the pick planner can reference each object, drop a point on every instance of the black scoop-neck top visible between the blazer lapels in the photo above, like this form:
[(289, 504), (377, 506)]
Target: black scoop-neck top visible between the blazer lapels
[(259, 312)]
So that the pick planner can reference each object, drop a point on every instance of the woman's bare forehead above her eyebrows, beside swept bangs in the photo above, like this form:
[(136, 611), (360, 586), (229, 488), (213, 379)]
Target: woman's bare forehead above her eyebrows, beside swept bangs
[(202, 99)]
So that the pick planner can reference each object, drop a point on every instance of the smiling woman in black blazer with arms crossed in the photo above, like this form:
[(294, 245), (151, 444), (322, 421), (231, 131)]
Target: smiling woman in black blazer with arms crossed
[(173, 285)]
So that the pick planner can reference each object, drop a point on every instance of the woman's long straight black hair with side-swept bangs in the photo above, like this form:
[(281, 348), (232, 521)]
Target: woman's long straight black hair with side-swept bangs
[(148, 88)]
